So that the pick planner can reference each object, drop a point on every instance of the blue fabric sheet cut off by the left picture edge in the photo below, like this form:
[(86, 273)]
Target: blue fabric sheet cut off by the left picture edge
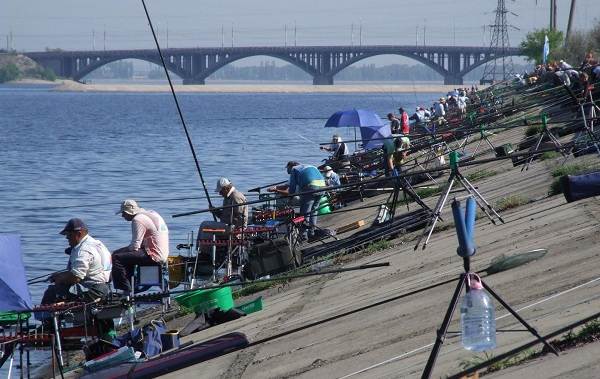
[(14, 292)]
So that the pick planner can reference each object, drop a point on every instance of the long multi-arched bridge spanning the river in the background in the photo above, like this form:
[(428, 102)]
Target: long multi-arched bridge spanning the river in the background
[(194, 65)]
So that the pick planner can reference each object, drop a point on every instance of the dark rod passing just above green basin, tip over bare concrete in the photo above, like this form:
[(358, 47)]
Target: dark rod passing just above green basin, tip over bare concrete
[(252, 282)]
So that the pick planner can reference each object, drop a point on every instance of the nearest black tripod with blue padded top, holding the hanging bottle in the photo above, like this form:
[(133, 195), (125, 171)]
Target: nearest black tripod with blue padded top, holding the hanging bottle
[(466, 249)]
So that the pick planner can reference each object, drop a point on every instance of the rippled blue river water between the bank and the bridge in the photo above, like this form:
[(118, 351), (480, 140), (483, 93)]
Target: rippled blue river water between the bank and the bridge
[(69, 155)]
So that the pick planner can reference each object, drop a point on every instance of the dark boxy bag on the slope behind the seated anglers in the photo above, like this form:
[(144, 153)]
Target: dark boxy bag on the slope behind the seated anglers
[(271, 257)]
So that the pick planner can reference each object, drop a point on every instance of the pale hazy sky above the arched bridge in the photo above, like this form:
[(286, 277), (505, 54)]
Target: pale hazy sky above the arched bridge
[(83, 24)]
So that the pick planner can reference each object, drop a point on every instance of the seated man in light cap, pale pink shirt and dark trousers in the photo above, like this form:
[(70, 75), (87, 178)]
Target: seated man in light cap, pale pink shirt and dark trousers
[(149, 243)]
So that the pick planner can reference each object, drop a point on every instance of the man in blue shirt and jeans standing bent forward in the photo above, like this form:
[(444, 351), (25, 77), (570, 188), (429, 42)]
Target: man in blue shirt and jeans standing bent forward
[(304, 178)]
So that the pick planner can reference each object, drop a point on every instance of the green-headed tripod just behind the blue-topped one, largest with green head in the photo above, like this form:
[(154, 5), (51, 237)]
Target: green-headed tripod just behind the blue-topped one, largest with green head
[(455, 175)]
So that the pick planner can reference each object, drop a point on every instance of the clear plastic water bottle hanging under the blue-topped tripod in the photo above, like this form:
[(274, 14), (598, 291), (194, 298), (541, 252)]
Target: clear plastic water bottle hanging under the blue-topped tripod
[(477, 318)]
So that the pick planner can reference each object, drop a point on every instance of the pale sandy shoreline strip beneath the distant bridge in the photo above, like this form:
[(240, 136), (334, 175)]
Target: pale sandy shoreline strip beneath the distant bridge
[(72, 86)]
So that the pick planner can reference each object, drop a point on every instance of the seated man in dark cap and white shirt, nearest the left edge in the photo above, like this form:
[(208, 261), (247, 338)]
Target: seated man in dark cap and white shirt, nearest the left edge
[(89, 266)]
